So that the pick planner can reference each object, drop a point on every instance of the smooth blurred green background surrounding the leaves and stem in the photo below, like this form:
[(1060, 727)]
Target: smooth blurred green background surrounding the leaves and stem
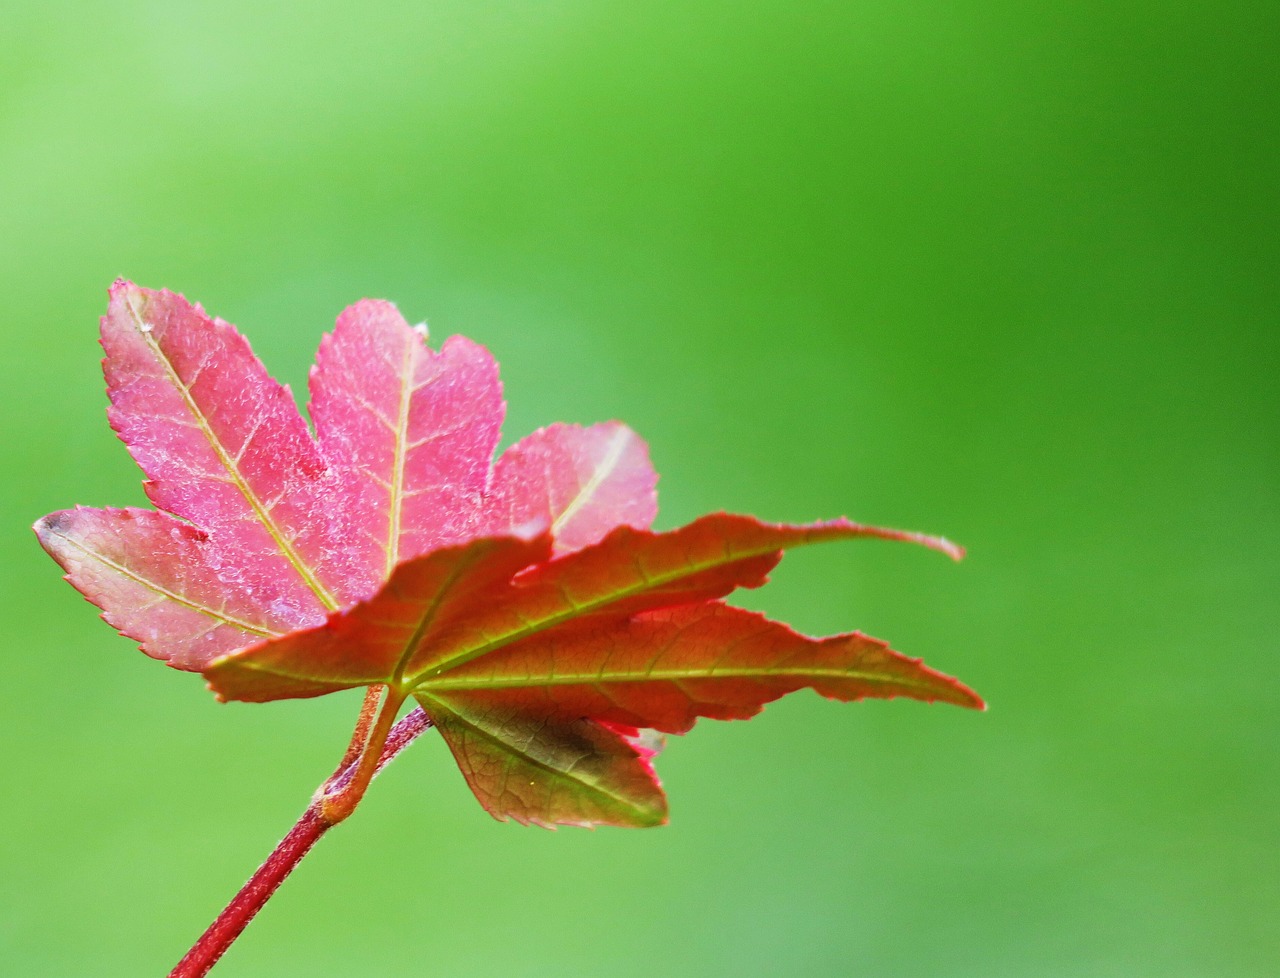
[(998, 271)]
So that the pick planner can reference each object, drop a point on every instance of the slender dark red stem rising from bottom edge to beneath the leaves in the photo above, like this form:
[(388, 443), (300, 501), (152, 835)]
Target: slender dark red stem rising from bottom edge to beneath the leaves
[(304, 835)]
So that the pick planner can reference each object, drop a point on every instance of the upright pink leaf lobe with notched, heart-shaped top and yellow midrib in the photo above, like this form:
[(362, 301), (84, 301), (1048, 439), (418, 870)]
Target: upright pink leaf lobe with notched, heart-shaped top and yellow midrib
[(413, 432)]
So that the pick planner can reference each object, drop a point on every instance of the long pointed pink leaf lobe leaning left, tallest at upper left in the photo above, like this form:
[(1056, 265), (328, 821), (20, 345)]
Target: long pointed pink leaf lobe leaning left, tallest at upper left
[(223, 445)]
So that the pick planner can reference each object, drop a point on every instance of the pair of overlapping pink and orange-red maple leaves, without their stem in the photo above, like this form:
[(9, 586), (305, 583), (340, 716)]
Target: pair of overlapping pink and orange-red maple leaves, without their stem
[(524, 604)]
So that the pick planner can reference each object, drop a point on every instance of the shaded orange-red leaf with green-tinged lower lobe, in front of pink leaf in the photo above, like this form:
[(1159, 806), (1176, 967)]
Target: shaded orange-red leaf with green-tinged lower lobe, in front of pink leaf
[(522, 671)]
